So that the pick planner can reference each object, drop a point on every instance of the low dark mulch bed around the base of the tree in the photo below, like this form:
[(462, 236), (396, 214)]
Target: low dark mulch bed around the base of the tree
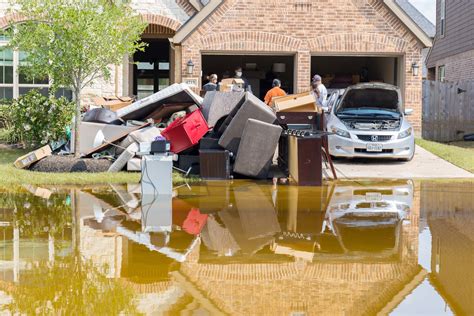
[(71, 164)]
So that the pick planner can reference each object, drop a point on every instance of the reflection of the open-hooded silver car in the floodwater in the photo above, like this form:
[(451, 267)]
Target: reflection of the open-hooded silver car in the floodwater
[(369, 218)]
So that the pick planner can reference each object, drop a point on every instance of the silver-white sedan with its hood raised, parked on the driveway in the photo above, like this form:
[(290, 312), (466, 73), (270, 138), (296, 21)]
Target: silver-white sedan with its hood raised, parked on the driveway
[(368, 121)]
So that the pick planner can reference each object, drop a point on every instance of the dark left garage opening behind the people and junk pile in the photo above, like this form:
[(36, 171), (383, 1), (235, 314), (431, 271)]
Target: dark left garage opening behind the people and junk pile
[(259, 70)]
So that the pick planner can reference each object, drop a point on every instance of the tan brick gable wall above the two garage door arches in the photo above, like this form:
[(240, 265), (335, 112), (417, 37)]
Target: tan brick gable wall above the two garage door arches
[(299, 19)]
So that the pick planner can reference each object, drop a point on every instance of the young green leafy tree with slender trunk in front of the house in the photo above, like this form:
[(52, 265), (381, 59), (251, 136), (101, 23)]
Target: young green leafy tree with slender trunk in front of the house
[(74, 42)]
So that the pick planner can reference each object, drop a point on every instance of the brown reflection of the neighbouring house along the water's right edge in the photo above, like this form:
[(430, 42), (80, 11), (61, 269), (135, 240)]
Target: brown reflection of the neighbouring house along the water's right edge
[(451, 221)]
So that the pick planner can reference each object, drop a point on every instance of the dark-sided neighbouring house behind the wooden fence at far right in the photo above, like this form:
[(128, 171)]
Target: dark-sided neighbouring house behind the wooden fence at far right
[(452, 55)]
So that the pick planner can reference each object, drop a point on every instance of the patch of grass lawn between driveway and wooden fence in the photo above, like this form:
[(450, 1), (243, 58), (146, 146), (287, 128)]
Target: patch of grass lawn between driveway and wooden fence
[(460, 154)]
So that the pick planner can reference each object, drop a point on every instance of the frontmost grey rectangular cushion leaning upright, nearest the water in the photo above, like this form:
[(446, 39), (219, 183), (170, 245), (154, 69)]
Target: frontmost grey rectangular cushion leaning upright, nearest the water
[(258, 144)]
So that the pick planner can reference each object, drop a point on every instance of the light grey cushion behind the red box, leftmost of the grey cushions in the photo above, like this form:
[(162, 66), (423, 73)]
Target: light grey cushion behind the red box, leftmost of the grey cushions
[(221, 105)]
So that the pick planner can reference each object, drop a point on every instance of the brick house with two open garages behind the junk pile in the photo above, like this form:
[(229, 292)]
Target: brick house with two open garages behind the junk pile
[(346, 41)]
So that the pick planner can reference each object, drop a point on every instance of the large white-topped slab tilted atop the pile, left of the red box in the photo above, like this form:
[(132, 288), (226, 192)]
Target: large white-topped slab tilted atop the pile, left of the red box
[(178, 93)]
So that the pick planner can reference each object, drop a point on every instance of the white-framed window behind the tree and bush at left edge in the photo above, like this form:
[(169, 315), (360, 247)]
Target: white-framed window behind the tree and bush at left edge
[(13, 81)]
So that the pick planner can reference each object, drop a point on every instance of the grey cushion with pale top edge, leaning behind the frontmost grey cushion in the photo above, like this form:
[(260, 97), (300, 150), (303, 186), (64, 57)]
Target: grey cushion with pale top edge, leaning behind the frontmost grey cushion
[(252, 108)]
